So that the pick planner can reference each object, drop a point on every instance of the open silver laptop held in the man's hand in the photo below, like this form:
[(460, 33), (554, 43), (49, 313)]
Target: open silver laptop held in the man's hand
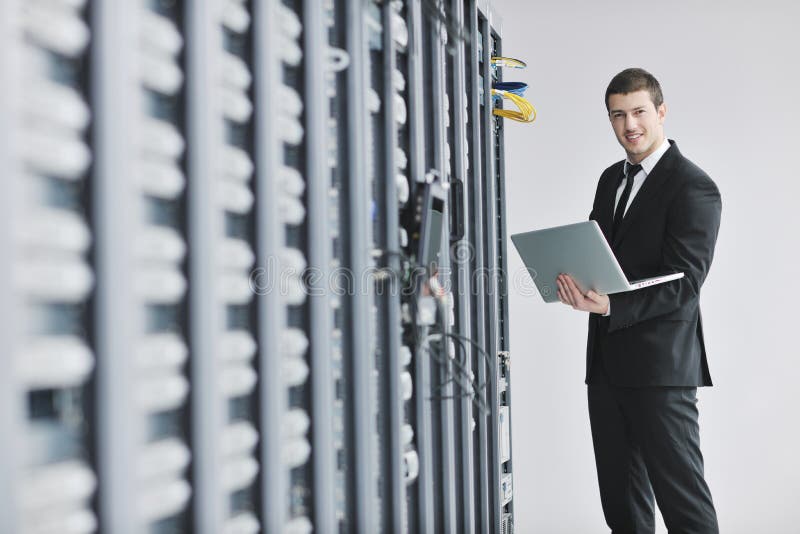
[(580, 250)]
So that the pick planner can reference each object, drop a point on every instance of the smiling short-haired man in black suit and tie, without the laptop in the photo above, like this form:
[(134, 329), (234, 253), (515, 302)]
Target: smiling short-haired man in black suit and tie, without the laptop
[(645, 353)]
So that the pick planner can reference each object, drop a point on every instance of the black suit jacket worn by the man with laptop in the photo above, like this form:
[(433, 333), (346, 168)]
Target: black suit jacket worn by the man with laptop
[(654, 336)]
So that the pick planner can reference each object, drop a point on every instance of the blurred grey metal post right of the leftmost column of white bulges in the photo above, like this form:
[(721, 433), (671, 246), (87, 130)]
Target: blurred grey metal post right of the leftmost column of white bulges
[(122, 428)]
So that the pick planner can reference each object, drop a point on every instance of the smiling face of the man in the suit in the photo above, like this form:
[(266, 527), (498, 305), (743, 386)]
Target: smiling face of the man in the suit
[(638, 125)]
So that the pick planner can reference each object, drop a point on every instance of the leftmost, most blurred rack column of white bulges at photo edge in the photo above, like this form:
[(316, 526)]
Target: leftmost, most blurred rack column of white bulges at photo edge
[(49, 270)]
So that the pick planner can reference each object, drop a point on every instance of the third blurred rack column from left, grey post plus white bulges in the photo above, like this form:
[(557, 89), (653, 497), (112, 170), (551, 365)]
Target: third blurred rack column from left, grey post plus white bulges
[(225, 317)]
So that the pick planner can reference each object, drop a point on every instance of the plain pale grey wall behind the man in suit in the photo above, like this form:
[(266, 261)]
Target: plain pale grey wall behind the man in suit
[(731, 78)]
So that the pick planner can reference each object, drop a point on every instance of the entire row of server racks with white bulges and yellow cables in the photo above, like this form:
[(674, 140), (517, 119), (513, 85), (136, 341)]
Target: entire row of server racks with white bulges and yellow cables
[(253, 267)]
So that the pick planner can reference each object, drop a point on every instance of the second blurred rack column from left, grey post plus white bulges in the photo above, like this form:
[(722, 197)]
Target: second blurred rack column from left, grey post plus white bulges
[(142, 308)]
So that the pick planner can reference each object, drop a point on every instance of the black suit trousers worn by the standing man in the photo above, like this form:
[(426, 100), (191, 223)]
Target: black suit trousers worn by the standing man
[(646, 441)]
